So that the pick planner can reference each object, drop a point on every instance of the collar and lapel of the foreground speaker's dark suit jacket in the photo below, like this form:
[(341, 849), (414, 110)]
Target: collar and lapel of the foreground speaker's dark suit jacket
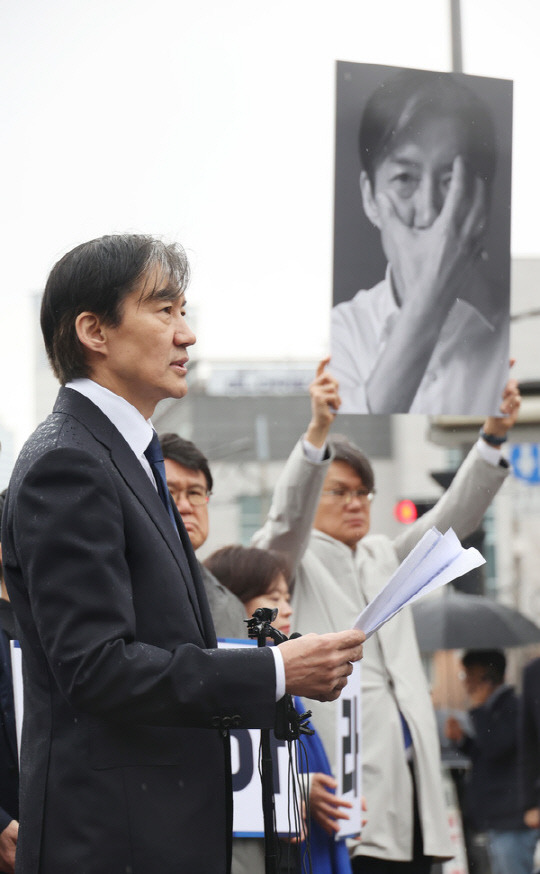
[(131, 470)]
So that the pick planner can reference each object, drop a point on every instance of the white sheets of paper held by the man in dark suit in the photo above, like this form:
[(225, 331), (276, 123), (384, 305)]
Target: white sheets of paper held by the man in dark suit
[(435, 560)]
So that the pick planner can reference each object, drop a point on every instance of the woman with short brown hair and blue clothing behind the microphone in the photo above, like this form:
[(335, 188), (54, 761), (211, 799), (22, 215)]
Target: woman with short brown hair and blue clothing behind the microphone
[(259, 578)]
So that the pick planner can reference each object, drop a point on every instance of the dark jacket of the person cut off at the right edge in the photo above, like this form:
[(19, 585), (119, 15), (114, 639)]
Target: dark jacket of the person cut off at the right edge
[(529, 736)]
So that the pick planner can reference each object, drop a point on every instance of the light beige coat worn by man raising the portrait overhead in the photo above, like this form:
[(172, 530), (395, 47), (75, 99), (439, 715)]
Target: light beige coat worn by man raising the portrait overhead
[(331, 584)]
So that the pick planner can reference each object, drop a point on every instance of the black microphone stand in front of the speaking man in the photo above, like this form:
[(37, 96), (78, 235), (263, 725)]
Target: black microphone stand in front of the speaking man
[(289, 725)]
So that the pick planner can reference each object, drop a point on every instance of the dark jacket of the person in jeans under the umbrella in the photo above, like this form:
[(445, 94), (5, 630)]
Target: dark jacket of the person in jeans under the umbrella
[(491, 791)]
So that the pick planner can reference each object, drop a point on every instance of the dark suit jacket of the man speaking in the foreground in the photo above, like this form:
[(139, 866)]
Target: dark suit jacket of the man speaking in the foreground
[(125, 762)]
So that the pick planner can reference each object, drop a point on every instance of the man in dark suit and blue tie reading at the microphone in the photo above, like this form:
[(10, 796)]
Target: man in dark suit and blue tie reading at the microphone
[(125, 764)]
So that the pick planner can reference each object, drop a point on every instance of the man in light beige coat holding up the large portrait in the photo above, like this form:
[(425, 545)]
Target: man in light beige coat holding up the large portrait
[(320, 519)]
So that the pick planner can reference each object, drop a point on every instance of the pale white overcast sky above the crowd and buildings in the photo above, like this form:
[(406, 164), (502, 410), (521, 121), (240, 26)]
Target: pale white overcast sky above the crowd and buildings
[(212, 123)]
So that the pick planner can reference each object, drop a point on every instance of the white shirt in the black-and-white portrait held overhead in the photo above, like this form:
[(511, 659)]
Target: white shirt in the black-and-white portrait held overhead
[(465, 375)]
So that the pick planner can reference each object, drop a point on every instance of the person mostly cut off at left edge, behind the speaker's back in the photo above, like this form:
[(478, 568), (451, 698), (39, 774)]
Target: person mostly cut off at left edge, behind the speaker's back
[(9, 764)]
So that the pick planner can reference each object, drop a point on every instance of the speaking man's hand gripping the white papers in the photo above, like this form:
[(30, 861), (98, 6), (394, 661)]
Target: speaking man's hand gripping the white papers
[(317, 665)]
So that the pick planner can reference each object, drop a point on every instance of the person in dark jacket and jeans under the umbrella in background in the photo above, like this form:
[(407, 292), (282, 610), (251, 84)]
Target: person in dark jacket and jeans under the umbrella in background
[(491, 803)]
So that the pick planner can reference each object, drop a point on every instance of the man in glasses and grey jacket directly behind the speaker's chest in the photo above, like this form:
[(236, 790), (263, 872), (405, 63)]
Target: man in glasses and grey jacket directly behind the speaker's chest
[(190, 483)]
